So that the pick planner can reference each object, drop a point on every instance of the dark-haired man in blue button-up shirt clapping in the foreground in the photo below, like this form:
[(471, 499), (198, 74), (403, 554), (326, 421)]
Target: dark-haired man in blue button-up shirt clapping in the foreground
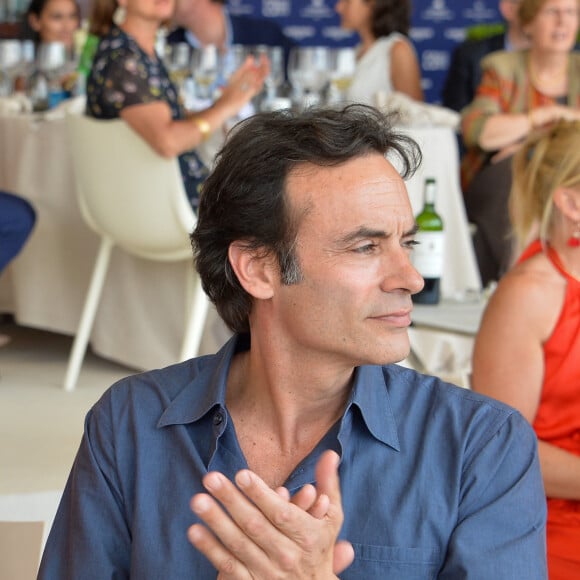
[(303, 244)]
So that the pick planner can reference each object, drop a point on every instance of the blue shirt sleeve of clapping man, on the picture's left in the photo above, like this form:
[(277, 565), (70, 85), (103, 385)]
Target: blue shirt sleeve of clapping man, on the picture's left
[(90, 536)]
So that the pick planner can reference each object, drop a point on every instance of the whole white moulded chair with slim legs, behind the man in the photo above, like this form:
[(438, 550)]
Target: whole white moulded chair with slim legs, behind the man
[(134, 199)]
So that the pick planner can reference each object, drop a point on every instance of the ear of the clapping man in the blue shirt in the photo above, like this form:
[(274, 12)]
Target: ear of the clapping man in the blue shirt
[(257, 270)]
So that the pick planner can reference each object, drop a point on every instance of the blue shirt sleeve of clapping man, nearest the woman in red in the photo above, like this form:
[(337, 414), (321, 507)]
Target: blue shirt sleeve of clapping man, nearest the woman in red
[(500, 532)]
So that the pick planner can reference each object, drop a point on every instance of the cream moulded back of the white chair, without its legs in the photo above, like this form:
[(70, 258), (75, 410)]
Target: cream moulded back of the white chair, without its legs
[(127, 192)]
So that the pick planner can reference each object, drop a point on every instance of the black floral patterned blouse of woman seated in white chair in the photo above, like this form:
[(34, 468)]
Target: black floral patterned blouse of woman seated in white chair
[(123, 75)]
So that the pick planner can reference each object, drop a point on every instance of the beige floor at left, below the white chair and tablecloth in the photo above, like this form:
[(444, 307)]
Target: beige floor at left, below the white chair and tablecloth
[(40, 424)]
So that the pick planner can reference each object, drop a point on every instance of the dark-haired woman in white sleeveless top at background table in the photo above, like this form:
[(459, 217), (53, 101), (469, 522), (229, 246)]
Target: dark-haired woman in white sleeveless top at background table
[(386, 58)]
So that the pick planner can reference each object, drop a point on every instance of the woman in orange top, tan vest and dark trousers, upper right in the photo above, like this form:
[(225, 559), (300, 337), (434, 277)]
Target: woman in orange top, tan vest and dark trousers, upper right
[(519, 91)]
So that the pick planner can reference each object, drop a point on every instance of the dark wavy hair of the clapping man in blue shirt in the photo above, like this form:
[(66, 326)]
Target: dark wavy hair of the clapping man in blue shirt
[(244, 199)]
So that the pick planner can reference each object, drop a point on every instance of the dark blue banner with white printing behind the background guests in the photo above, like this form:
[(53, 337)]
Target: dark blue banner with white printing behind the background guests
[(437, 27)]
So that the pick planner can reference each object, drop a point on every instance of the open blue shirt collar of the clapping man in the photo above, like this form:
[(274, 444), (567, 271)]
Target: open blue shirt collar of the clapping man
[(208, 389)]
